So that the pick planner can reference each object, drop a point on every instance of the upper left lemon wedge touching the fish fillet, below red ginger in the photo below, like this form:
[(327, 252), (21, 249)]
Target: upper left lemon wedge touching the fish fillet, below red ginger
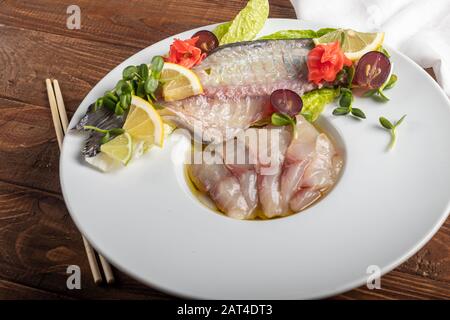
[(179, 82)]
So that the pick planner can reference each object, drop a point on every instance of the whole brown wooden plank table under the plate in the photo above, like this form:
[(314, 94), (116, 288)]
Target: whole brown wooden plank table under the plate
[(38, 239)]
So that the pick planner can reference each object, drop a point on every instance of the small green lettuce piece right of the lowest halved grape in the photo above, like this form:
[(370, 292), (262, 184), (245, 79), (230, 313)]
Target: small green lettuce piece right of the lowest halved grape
[(314, 102)]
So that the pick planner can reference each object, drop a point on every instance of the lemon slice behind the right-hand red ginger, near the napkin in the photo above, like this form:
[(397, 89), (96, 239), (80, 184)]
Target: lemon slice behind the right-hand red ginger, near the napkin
[(354, 44)]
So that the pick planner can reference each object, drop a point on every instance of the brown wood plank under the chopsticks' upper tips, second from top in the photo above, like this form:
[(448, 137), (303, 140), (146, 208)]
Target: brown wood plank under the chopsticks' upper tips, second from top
[(29, 57)]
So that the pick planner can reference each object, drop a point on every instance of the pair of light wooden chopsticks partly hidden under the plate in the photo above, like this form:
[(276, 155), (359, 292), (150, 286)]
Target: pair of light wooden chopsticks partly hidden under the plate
[(61, 124)]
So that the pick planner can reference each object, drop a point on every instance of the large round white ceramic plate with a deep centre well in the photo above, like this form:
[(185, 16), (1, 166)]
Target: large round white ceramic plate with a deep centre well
[(385, 207)]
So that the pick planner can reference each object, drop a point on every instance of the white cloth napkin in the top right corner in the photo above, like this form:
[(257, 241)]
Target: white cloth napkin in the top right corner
[(418, 28)]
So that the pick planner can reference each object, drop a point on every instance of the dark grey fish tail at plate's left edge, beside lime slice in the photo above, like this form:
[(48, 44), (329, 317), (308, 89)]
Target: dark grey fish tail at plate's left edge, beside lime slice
[(102, 118)]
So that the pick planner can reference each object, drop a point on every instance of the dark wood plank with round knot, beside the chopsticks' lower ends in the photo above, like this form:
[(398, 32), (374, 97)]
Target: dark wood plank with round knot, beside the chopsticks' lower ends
[(38, 241)]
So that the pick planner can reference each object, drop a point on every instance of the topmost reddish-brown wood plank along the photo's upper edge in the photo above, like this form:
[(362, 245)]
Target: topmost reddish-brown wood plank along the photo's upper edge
[(134, 23)]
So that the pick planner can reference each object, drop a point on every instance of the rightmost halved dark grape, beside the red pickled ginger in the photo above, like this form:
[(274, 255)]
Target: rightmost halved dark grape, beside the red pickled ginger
[(372, 70)]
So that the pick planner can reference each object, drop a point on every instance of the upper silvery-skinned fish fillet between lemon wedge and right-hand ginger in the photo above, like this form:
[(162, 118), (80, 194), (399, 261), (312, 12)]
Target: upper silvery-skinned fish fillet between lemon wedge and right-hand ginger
[(254, 63)]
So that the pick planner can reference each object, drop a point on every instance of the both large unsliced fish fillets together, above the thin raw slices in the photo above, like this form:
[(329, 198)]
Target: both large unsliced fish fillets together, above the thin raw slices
[(238, 80)]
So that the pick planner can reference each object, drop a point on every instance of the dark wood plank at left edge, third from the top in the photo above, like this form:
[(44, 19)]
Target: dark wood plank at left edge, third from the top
[(29, 153)]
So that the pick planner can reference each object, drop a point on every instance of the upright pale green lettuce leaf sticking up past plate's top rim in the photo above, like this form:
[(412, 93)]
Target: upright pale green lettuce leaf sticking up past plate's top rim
[(247, 24)]
